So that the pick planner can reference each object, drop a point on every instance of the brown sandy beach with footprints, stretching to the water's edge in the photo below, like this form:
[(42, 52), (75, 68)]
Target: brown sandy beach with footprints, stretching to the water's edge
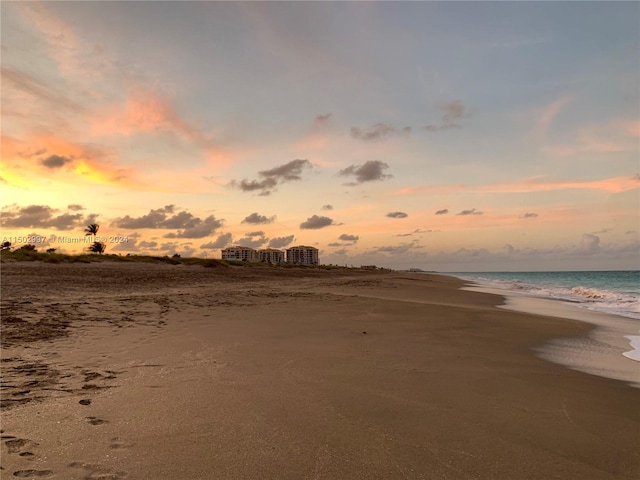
[(138, 371)]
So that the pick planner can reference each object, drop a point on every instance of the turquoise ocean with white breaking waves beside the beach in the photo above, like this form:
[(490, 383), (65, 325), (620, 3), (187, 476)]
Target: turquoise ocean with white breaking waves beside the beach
[(611, 292)]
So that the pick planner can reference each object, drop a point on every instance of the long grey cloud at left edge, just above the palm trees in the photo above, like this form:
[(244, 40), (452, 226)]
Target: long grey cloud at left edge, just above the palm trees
[(42, 216)]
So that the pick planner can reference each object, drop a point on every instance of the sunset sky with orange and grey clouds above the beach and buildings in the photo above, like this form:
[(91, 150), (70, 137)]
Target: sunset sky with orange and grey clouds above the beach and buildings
[(448, 136)]
